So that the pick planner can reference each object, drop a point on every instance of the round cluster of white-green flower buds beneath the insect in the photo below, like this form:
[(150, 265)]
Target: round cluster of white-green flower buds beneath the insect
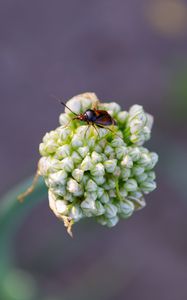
[(98, 172)]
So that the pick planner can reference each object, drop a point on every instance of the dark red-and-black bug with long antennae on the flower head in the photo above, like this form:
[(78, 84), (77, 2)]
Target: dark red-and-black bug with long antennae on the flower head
[(94, 117)]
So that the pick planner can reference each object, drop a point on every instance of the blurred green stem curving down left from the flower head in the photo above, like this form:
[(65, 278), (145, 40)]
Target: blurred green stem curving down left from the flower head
[(12, 214)]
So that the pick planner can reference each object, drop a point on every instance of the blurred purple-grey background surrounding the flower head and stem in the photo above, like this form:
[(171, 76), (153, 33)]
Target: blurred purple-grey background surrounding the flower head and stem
[(128, 51)]
